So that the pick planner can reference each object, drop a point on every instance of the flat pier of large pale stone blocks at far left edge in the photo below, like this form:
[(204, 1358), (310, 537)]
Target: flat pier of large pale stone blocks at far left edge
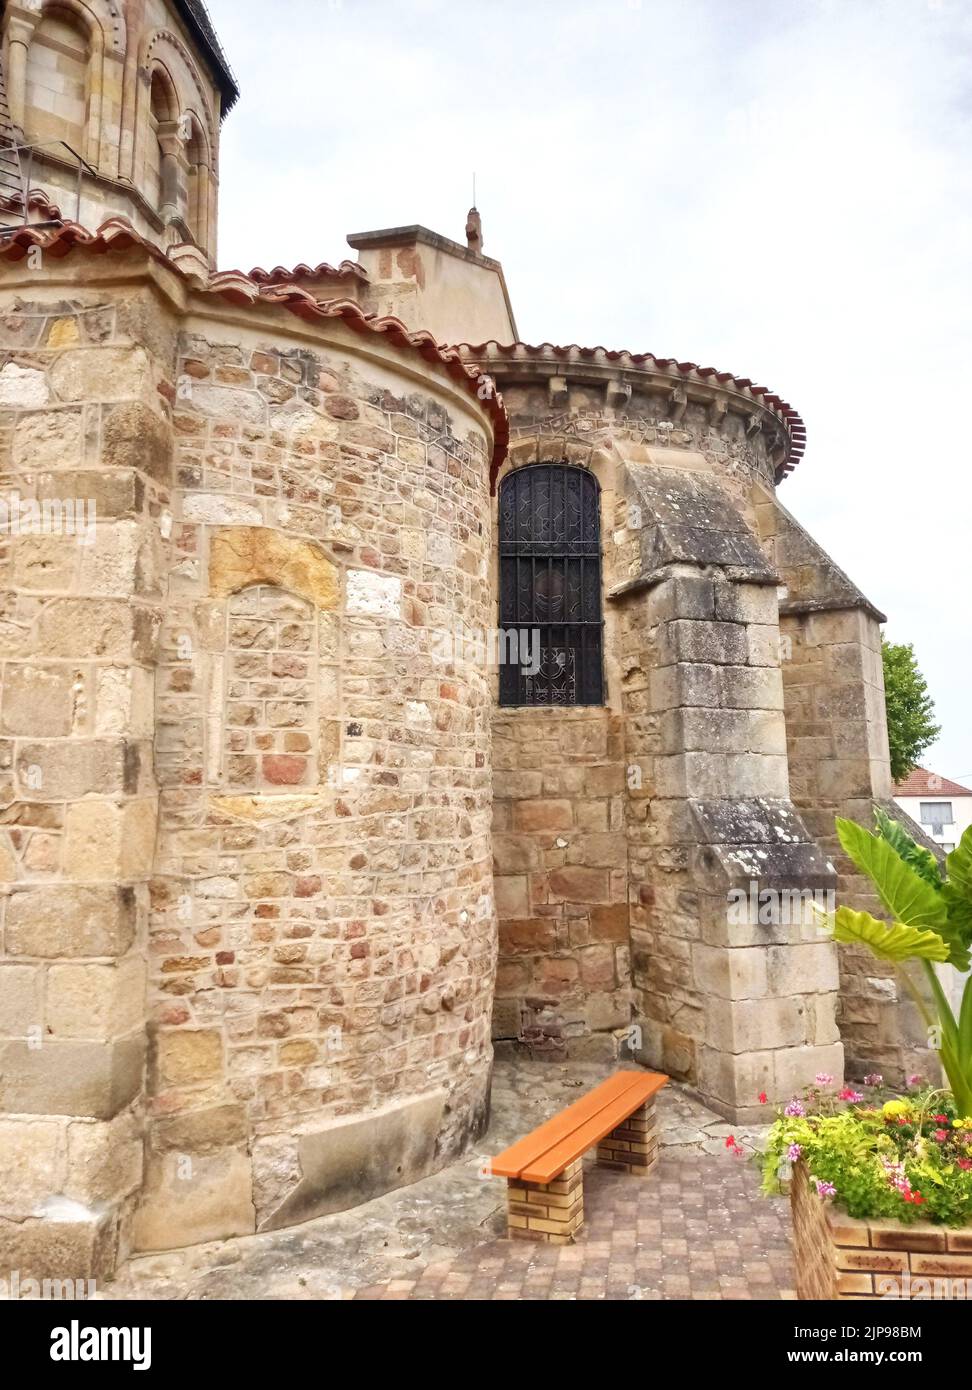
[(83, 423)]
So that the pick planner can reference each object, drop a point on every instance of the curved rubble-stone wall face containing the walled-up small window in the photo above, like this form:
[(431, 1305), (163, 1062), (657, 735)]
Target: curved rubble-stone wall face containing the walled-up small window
[(323, 926)]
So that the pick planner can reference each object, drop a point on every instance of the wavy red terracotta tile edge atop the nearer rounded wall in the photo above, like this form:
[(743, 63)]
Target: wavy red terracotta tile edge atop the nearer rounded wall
[(118, 234)]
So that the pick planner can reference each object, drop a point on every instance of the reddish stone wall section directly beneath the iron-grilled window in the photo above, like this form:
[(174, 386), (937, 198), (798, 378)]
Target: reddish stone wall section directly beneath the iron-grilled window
[(561, 865)]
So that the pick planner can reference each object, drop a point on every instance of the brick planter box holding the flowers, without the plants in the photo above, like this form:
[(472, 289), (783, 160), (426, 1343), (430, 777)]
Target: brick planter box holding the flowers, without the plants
[(842, 1257)]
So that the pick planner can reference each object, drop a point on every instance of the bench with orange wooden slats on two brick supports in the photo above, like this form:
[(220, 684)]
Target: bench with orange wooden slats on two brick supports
[(544, 1171)]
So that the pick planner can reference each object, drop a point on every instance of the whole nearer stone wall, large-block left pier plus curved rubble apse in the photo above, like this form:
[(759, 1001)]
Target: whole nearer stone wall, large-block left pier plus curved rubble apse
[(301, 868)]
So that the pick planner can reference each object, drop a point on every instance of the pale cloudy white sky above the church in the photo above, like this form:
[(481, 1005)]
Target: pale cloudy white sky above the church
[(777, 188)]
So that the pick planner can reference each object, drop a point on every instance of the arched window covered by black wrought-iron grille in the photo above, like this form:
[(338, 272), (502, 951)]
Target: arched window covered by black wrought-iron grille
[(550, 587)]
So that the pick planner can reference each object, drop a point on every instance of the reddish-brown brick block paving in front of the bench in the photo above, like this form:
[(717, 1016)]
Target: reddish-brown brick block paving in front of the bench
[(696, 1229)]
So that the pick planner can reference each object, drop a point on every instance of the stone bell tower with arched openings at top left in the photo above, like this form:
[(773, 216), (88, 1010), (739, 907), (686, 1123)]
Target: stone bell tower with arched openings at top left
[(115, 109)]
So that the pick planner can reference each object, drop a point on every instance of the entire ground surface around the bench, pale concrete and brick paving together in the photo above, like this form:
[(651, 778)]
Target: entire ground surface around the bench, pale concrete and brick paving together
[(696, 1229)]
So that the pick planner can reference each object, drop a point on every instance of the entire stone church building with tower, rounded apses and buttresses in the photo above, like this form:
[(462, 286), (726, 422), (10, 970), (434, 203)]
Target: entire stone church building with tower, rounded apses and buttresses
[(379, 692)]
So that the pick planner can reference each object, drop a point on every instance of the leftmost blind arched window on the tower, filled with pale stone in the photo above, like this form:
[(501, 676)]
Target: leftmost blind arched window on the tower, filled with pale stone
[(56, 95)]
